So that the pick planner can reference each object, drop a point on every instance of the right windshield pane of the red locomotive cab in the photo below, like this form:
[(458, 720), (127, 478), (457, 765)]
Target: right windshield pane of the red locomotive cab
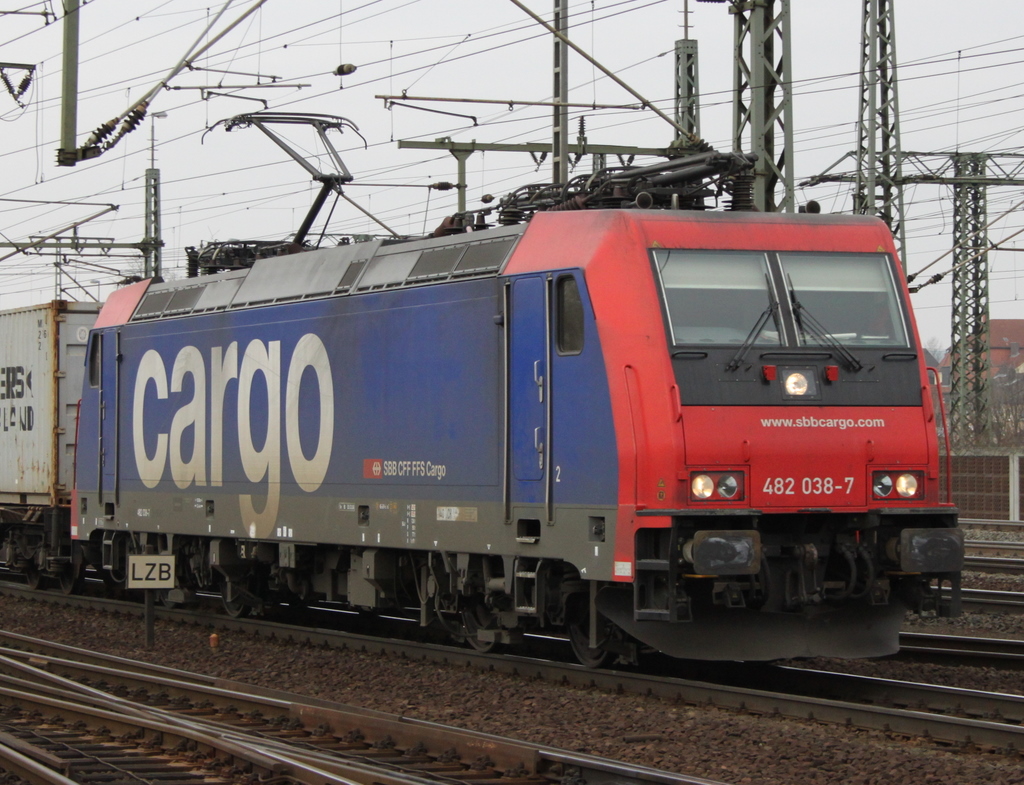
[(851, 296)]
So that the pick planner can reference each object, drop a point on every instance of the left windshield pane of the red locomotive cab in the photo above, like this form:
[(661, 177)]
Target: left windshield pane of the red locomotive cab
[(716, 297)]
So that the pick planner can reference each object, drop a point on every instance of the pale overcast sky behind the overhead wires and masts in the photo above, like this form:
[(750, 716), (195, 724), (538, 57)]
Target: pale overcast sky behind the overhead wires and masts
[(961, 68)]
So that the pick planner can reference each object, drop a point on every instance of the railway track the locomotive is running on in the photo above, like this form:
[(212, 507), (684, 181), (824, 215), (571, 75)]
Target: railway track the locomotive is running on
[(946, 715)]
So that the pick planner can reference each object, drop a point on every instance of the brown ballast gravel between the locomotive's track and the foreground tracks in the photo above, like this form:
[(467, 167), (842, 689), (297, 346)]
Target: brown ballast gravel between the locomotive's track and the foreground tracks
[(717, 745)]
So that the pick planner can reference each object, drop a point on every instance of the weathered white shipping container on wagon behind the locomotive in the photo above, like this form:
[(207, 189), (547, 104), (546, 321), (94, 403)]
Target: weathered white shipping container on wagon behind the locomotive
[(42, 365)]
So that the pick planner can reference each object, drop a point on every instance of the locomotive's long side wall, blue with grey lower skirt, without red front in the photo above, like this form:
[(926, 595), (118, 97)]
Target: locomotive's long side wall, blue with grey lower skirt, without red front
[(405, 420)]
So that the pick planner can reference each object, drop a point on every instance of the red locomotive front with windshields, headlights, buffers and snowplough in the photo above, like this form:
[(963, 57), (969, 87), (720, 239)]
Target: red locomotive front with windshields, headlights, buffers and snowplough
[(780, 489)]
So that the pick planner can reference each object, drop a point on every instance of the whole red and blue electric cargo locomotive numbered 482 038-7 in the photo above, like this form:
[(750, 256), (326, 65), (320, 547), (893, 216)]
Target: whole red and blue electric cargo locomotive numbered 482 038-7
[(705, 432)]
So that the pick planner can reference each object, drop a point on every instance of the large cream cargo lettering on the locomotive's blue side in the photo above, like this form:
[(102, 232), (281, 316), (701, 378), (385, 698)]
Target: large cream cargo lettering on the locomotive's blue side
[(169, 433)]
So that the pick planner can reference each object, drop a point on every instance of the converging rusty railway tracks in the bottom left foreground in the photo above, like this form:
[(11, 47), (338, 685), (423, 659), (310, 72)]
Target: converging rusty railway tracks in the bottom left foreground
[(155, 723)]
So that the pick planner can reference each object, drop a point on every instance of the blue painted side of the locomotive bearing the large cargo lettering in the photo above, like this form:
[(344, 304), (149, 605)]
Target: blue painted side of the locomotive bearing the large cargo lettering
[(330, 401)]
